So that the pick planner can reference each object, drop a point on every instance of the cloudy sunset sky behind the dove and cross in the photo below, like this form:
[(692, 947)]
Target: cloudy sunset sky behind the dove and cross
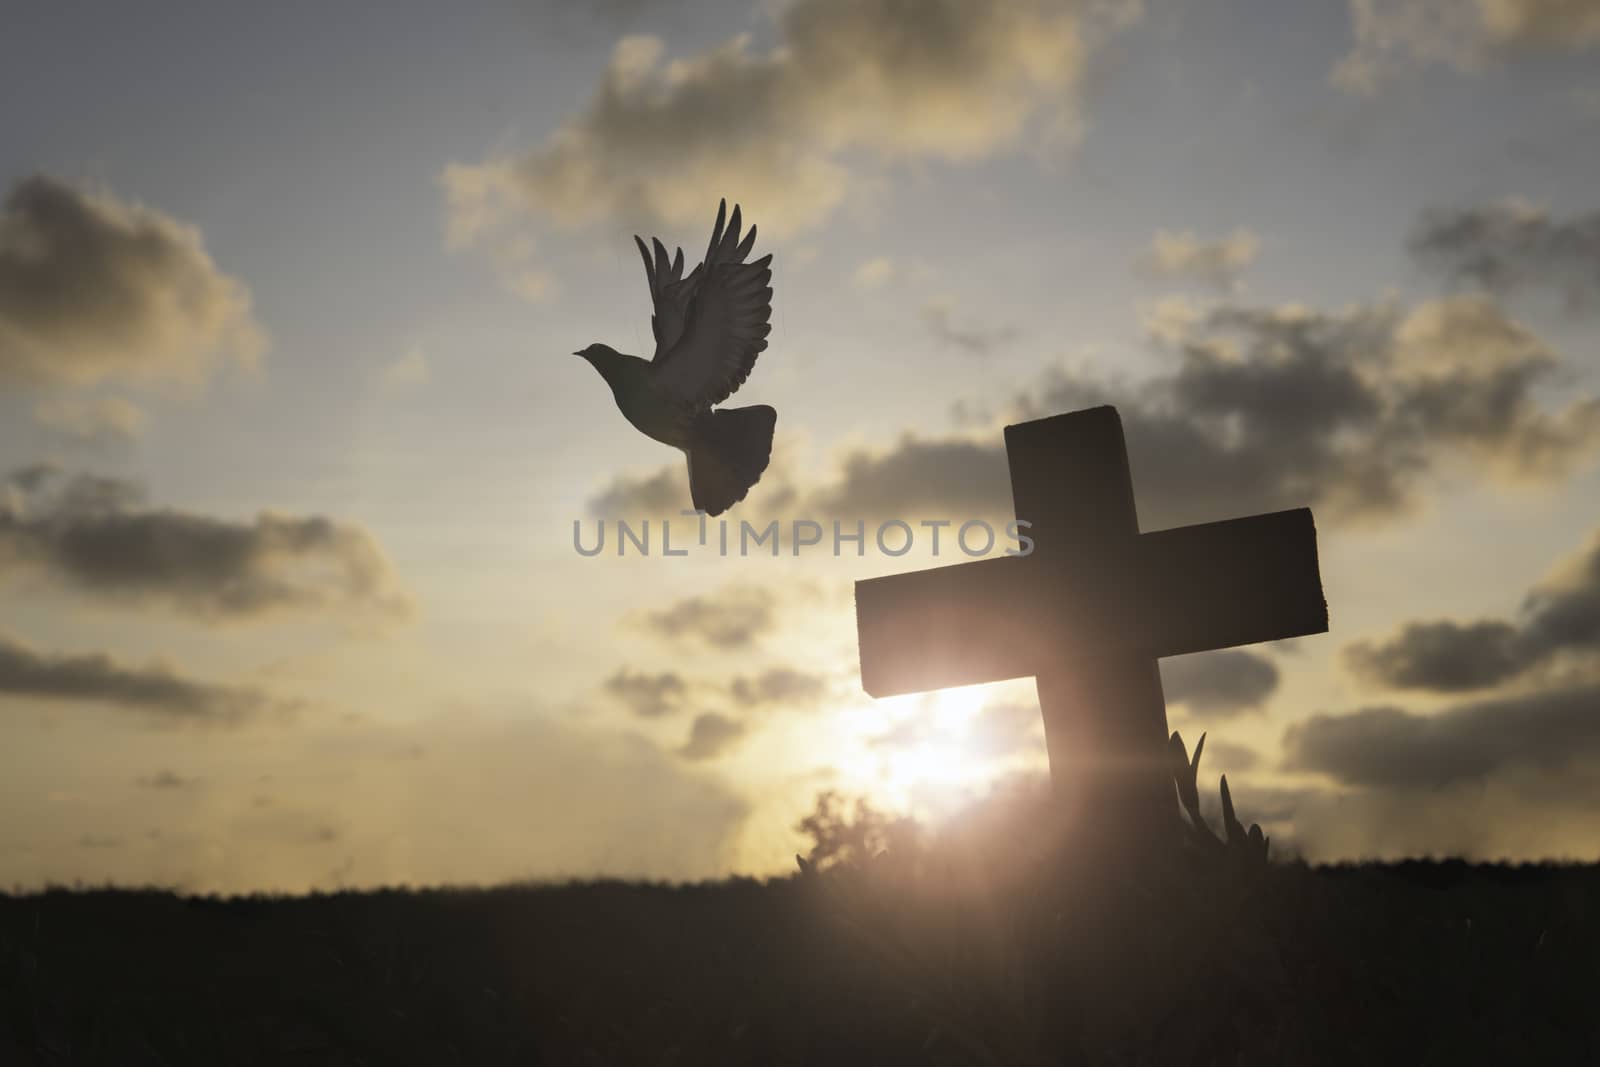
[(292, 444)]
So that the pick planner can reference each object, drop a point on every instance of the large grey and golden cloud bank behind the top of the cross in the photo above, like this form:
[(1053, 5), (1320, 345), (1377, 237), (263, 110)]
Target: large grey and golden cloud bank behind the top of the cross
[(1270, 409)]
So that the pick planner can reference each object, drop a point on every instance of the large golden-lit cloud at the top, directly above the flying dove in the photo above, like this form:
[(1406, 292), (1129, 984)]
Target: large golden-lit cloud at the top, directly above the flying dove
[(847, 90)]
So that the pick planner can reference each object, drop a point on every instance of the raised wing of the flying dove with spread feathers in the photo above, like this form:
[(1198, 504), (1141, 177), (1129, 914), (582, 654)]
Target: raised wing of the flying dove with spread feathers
[(711, 326)]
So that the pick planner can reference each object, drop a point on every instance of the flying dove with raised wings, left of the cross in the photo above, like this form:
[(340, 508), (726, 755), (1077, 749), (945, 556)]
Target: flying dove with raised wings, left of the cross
[(710, 329)]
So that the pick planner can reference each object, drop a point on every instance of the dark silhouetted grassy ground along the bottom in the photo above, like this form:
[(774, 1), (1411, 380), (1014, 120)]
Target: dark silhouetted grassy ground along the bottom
[(866, 964)]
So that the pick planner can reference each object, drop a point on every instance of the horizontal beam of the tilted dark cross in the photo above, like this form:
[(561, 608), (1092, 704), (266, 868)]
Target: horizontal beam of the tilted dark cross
[(1167, 594)]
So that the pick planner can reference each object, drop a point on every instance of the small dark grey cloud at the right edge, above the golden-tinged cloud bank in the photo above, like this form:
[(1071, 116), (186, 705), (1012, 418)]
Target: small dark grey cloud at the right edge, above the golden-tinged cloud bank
[(1511, 247)]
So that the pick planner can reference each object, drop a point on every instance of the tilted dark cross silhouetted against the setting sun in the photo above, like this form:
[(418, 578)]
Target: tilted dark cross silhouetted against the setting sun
[(1090, 612)]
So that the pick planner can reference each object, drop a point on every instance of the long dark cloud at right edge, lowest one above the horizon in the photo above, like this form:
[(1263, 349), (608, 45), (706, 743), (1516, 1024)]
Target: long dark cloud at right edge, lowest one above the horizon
[(1393, 748)]
